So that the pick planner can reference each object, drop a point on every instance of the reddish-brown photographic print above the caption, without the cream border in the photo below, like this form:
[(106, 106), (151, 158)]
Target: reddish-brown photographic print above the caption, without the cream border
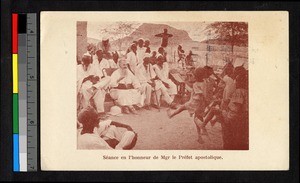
[(162, 85)]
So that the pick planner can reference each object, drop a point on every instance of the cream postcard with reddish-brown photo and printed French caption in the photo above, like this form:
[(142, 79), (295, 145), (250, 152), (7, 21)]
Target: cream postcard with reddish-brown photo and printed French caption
[(182, 90)]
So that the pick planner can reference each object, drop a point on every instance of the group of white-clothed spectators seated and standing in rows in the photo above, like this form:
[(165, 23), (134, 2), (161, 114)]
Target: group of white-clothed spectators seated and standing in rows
[(140, 79)]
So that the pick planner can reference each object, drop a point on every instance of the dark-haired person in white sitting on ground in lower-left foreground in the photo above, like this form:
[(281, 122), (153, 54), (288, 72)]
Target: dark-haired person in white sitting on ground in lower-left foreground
[(98, 132)]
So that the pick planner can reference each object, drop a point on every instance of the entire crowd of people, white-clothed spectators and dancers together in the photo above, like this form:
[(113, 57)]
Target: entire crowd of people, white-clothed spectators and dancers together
[(140, 79)]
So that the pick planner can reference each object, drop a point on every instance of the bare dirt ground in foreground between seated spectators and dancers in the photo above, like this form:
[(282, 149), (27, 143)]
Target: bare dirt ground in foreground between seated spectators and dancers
[(157, 132)]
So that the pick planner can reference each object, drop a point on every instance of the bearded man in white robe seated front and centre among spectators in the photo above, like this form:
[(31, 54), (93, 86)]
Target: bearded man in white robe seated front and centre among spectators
[(126, 89)]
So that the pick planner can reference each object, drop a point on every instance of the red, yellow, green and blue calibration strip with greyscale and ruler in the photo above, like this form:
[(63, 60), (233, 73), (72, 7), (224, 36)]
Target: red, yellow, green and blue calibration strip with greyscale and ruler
[(24, 92)]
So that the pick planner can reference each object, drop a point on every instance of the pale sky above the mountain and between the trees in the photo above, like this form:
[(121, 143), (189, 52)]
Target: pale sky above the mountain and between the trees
[(194, 29)]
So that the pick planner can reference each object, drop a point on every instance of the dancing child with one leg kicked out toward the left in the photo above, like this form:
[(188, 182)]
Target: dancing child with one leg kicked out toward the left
[(196, 104)]
